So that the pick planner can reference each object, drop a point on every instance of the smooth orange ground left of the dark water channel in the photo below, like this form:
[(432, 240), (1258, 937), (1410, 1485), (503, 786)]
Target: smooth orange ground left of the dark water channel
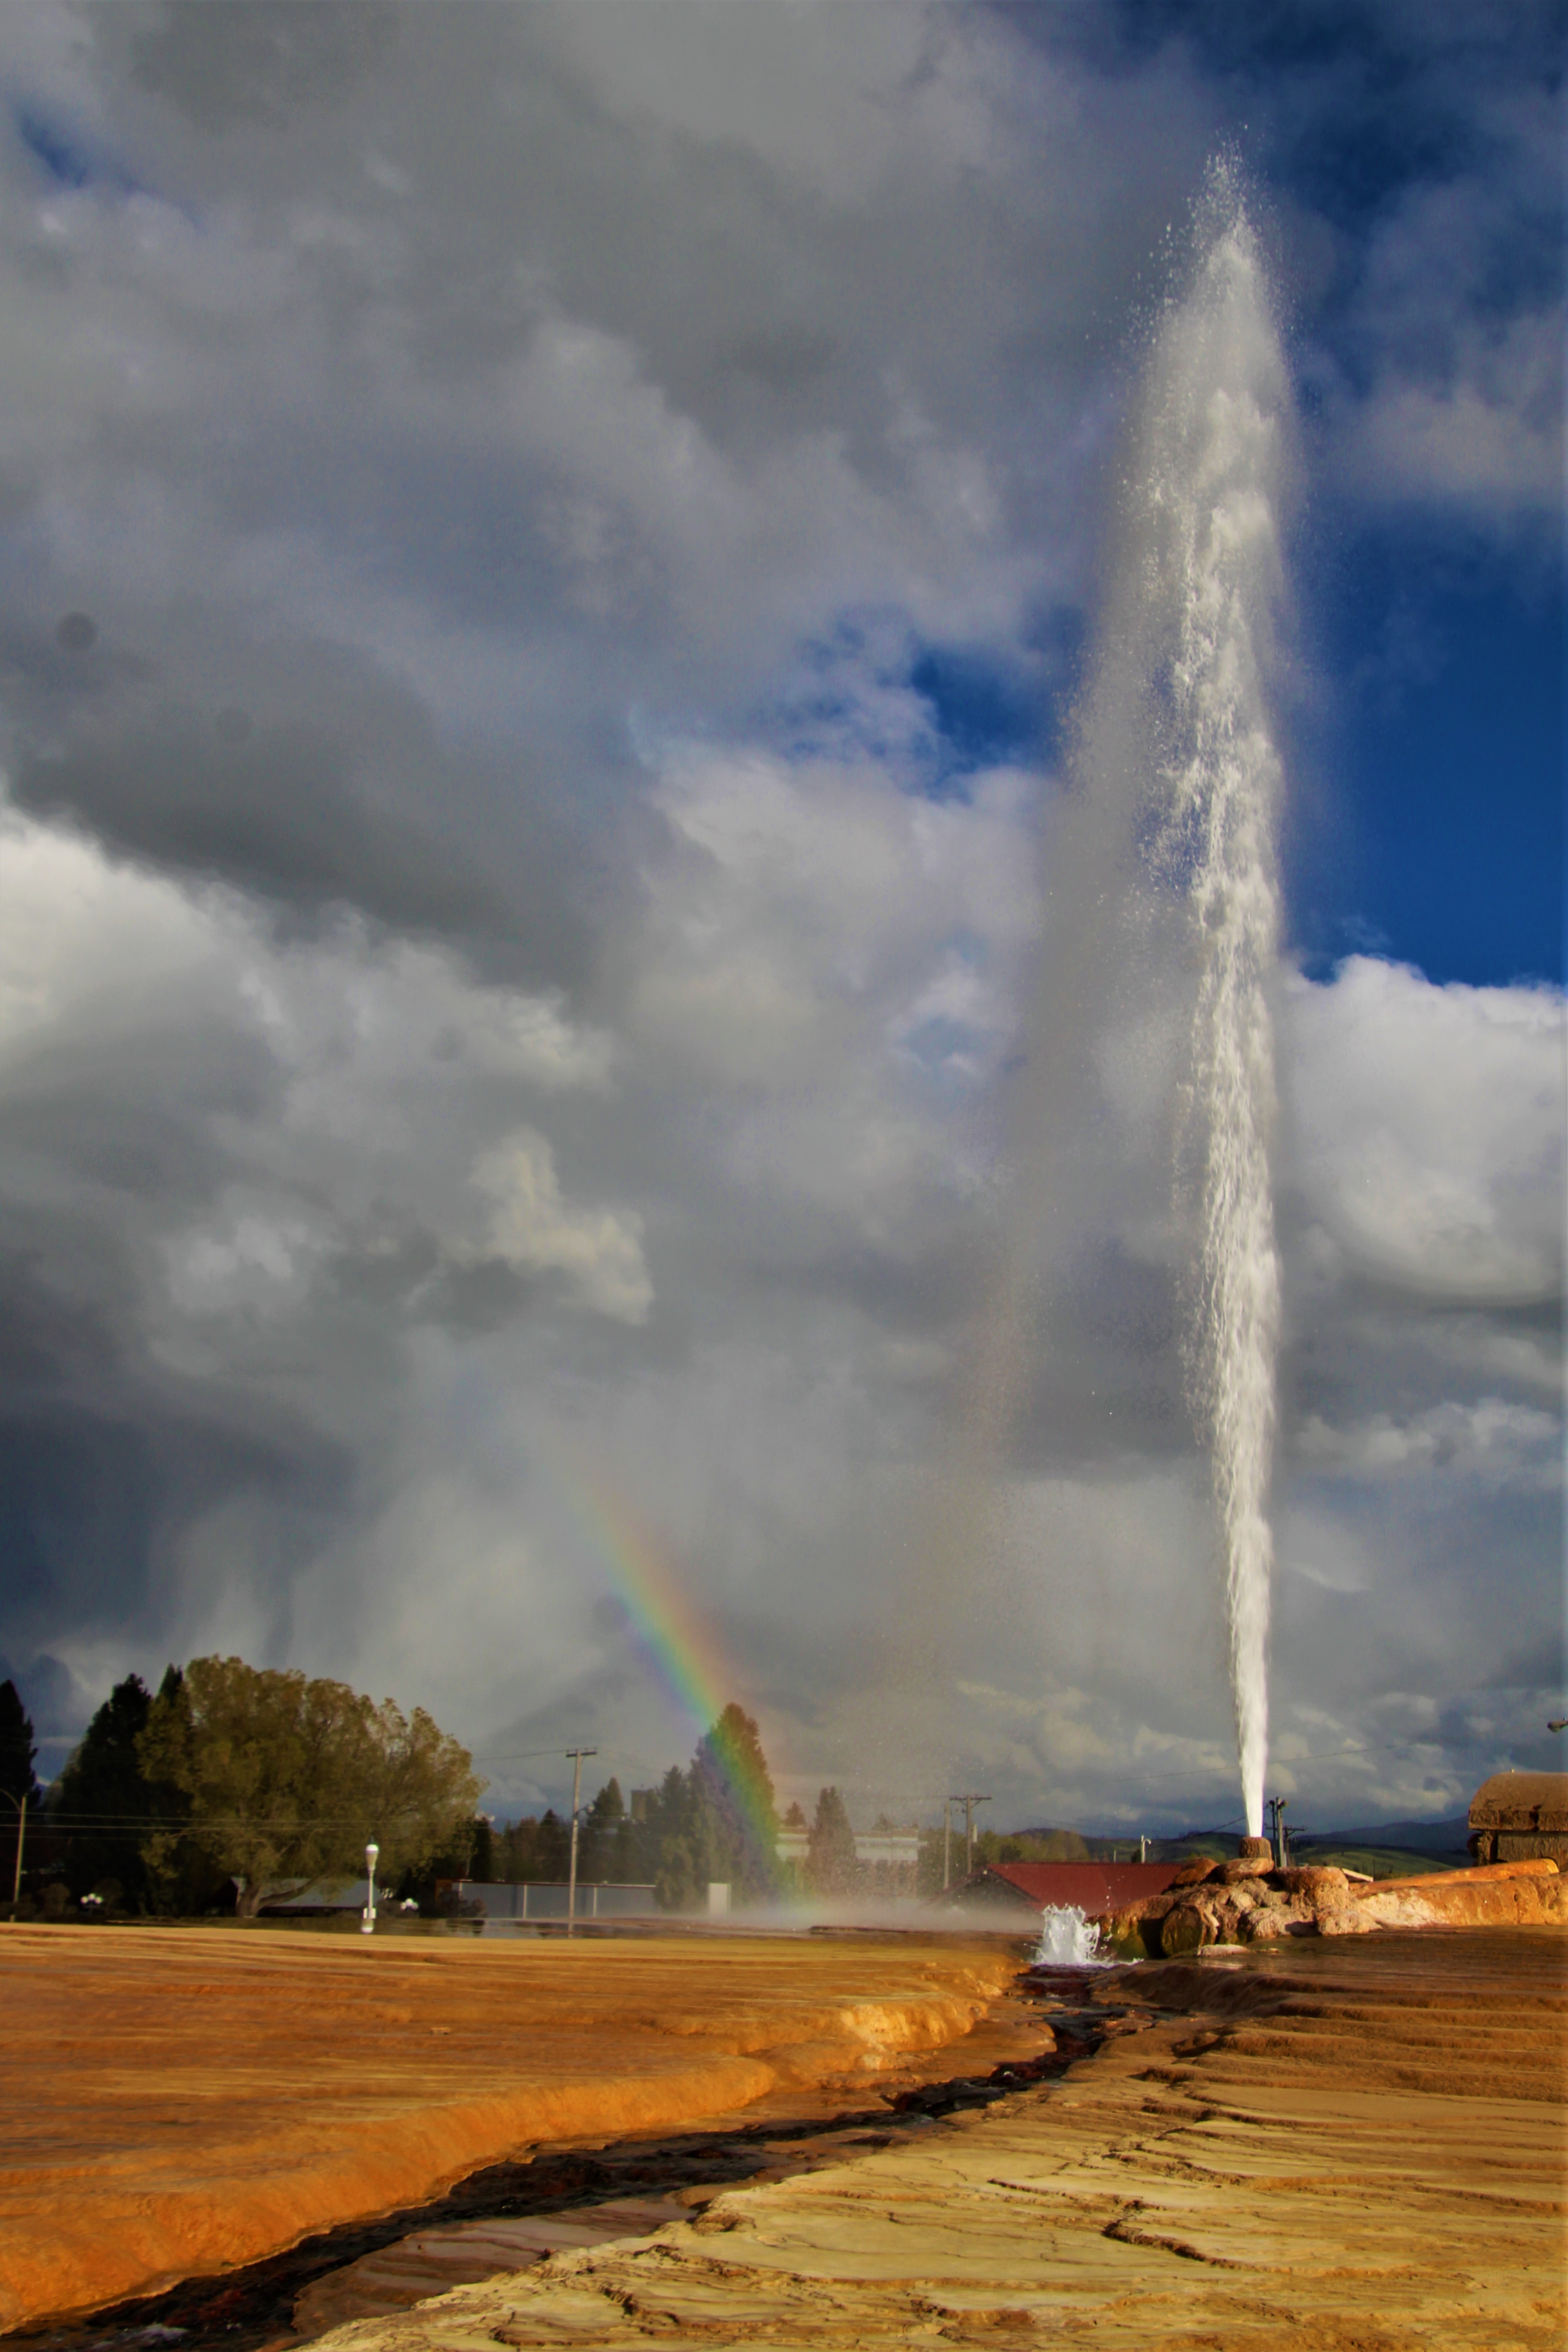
[(182, 2102)]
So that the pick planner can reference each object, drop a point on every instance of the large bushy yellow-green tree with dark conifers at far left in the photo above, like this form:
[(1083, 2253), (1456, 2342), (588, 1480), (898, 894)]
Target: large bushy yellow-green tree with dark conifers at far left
[(236, 1775)]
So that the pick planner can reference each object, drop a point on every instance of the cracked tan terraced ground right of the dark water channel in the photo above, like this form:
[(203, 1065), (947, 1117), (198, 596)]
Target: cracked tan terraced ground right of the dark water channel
[(1348, 2146)]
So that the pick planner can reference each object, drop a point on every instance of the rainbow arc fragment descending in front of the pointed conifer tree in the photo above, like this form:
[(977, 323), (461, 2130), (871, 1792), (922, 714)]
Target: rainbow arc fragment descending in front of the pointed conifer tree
[(681, 1652)]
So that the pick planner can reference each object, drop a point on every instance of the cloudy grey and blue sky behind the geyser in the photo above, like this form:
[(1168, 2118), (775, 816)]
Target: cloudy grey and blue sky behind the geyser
[(547, 559)]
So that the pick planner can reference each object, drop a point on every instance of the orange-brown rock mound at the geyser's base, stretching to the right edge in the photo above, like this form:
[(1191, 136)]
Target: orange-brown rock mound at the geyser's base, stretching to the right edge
[(1249, 1902)]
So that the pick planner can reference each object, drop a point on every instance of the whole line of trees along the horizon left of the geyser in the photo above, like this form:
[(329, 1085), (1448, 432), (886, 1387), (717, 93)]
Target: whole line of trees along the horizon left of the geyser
[(234, 1777)]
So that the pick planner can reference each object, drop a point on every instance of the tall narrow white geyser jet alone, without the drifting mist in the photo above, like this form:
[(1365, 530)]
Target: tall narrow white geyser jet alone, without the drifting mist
[(1217, 465)]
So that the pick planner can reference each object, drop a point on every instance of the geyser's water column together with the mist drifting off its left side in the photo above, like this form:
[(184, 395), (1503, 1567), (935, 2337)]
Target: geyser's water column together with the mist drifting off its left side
[(1165, 864)]
